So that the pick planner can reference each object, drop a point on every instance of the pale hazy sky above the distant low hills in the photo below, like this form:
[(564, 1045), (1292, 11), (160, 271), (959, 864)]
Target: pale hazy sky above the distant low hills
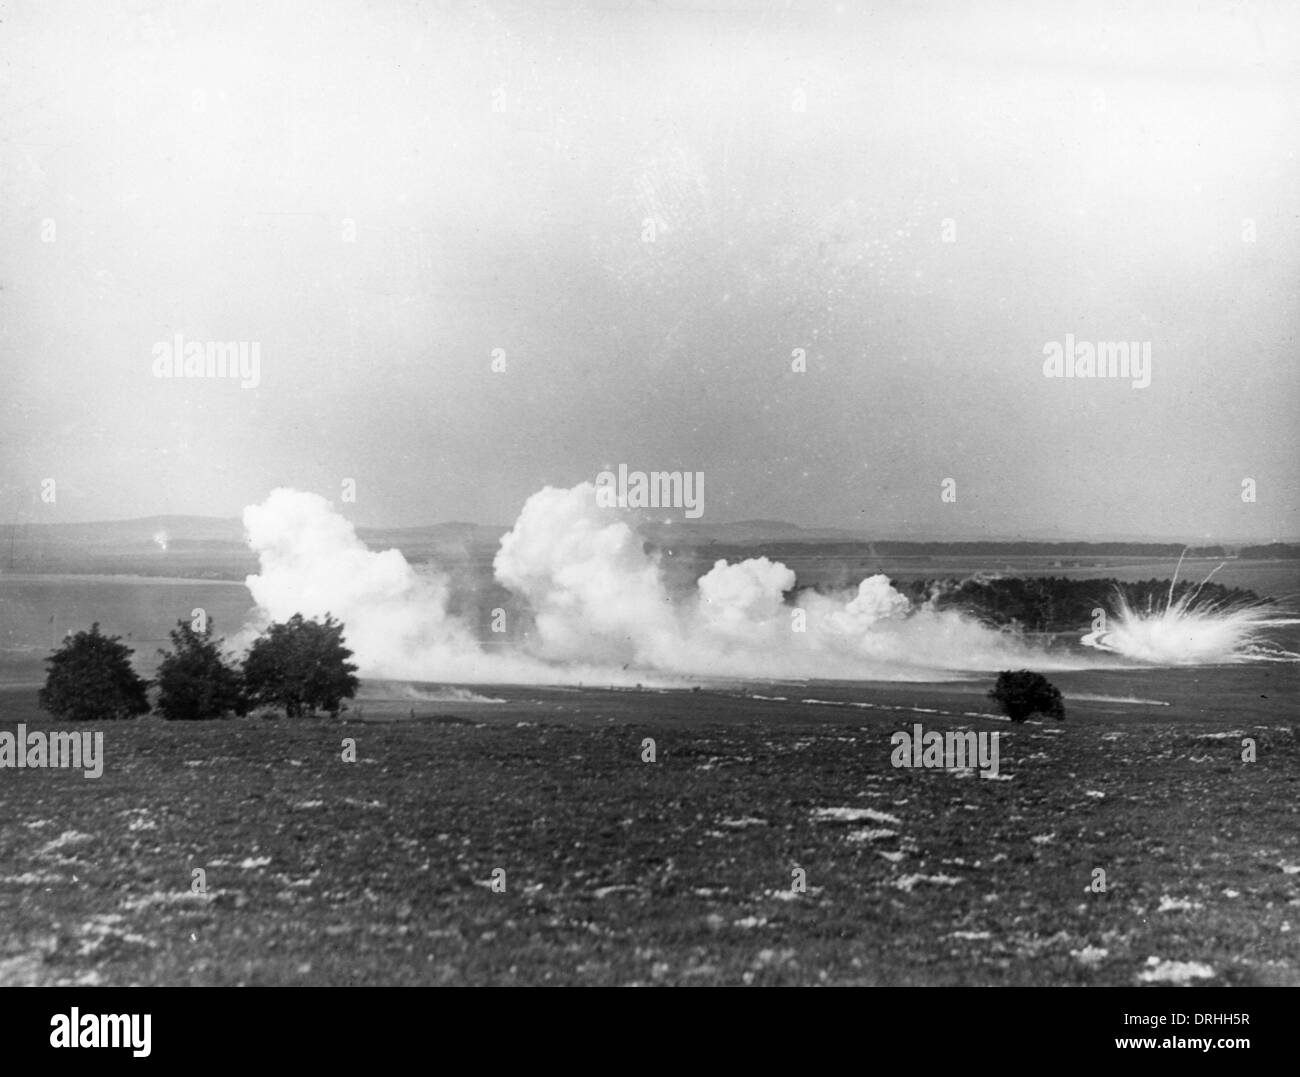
[(922, 197)]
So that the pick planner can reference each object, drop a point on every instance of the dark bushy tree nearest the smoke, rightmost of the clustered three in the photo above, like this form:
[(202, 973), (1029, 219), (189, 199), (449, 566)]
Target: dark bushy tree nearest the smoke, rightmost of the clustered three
[(302, 667)]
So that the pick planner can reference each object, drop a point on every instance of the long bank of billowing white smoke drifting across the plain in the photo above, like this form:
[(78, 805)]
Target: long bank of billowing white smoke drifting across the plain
[(597, 608)]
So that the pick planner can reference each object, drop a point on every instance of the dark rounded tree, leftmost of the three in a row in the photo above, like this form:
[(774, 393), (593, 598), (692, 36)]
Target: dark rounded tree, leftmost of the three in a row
[(90, 680)]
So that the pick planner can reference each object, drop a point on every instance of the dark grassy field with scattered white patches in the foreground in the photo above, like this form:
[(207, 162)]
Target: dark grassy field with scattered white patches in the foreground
[(677, 872)]
